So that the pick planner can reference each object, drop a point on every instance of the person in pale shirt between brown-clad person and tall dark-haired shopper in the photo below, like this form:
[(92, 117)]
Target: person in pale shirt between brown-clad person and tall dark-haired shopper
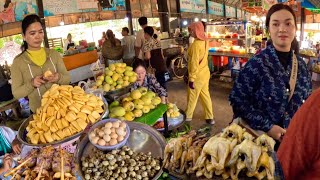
[(128, 46)]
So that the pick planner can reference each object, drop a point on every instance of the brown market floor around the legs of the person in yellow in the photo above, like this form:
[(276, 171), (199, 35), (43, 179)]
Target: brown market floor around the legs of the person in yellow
[(219, 92)]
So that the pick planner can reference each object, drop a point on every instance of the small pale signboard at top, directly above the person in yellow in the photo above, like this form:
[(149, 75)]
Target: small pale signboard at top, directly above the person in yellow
[(195, 6)]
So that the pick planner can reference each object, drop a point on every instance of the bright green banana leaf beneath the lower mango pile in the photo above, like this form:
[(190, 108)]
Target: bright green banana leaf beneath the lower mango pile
[(151, 117)]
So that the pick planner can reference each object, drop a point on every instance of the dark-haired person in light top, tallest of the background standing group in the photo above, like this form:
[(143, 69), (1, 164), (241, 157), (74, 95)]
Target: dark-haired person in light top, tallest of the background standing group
[(143, 22)]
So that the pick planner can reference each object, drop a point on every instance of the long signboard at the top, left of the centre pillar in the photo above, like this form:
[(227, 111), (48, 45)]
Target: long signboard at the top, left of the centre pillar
[(57, 7)]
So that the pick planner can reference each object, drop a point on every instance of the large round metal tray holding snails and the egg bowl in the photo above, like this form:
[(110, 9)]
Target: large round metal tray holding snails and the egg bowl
[(143, 138)]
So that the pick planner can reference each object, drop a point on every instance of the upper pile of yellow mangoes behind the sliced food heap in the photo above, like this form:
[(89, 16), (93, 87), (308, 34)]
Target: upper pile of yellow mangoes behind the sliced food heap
[(116, 76)]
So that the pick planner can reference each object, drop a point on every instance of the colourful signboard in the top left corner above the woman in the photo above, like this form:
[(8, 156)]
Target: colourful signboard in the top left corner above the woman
[(15, 11)]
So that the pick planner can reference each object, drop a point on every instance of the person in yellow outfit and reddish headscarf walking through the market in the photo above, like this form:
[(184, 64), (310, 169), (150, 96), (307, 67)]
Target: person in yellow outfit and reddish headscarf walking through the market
[(199, 74)]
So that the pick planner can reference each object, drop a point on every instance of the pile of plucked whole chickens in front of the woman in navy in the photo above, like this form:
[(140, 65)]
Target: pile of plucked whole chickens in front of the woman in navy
[(225, 154)]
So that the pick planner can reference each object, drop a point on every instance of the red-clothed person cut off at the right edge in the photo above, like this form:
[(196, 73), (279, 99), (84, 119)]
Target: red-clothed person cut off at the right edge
[(299, 153)]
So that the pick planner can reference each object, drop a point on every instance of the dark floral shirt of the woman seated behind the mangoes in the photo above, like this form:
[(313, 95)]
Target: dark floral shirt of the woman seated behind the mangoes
[(152, 84)]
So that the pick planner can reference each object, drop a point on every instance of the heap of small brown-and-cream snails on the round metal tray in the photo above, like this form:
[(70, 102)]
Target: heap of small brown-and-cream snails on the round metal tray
[(119, 164)]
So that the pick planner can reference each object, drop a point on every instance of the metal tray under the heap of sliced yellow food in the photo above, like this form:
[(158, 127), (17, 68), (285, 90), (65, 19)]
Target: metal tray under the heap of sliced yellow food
[(22, 132)]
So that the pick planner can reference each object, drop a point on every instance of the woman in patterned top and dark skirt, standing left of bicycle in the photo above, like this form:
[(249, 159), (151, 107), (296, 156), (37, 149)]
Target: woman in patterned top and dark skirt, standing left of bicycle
[(154, 56)]
